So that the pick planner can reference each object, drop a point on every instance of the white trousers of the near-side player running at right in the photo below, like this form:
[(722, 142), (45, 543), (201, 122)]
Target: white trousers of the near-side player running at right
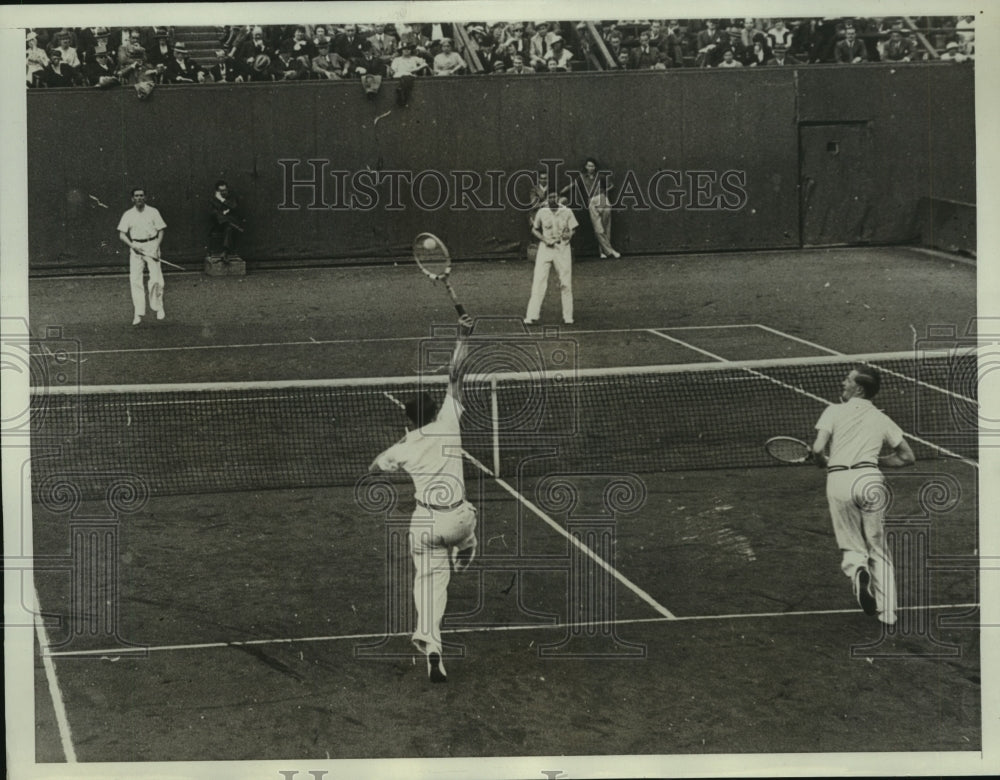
[(858, 499)]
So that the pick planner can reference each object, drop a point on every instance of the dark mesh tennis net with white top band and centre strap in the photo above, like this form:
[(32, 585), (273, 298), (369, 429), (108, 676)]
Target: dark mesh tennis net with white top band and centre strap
[(249, 436)]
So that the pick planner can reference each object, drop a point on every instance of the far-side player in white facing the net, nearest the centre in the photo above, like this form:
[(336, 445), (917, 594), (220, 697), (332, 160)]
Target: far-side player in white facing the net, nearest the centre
[(553, 226)]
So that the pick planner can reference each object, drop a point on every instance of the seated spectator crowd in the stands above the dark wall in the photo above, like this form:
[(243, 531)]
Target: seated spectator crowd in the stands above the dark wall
[(106, 57)]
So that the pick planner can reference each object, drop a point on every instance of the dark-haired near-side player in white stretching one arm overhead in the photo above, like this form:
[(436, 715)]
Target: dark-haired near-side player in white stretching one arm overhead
[(443, 526)]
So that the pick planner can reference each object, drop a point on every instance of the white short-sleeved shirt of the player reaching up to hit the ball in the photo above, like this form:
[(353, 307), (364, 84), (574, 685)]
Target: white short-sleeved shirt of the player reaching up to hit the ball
[(432, 456)]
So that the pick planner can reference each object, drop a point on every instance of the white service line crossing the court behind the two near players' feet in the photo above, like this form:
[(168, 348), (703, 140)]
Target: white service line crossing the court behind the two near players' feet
[(119, 652)]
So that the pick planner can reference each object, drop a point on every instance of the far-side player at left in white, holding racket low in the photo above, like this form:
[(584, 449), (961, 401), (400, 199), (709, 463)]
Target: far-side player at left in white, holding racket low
[(141, 230)]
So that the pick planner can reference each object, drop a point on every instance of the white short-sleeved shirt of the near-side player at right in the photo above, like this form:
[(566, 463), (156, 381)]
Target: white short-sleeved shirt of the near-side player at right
[(858, 432)]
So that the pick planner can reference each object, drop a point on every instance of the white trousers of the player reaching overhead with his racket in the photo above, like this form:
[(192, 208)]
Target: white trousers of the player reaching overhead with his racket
[(434, 536)]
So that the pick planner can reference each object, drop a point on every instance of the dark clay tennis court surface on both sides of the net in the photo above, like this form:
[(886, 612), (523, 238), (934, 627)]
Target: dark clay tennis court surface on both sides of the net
[(268, 624)]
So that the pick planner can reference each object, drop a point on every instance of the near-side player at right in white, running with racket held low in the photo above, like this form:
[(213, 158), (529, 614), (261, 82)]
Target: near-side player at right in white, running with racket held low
[(855, 488)]
